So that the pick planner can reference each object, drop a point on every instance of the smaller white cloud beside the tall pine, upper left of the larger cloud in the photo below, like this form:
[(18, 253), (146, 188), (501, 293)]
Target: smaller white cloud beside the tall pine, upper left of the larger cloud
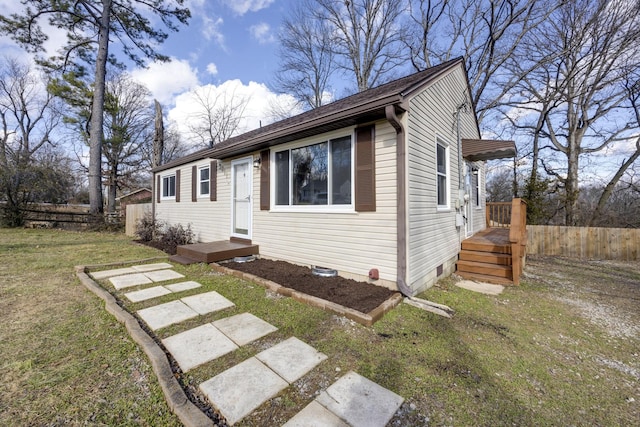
[(165, 80)]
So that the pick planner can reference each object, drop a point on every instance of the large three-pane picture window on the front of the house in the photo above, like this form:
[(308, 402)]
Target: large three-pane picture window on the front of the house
[(318, 174)]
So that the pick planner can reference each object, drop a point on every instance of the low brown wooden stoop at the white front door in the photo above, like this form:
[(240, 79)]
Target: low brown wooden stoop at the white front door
[(213, 251)]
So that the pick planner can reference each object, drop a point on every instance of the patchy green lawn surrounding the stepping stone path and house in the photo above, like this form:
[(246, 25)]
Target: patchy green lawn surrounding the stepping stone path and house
[(530, 356)]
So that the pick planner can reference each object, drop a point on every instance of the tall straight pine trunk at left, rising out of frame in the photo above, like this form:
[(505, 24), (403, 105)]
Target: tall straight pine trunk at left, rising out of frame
[(97, 119)]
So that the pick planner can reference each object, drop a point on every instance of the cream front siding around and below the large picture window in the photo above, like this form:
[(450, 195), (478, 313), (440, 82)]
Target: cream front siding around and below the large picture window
[(351, 243)]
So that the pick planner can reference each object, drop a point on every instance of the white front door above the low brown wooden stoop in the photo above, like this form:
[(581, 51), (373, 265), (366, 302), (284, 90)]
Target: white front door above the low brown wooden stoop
[(241, 203)]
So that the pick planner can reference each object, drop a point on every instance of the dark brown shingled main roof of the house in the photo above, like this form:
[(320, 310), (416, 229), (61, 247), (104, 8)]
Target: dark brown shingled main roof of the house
[(359, 108)]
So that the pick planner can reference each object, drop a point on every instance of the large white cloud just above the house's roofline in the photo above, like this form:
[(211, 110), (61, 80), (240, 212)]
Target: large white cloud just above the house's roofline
[(262, 107)]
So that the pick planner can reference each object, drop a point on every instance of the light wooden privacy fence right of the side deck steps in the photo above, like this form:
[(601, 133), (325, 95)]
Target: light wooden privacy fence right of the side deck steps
[(621, 244)]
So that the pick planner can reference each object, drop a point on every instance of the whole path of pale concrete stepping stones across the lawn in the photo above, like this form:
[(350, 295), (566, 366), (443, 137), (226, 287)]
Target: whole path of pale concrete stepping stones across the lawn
[(352, 401)]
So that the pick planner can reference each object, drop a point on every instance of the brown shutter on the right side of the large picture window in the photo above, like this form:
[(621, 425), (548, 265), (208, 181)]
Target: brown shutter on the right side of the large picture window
[(365, 169)]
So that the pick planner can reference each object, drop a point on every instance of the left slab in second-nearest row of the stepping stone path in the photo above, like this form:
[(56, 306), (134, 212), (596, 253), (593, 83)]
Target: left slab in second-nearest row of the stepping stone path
[(239, 390)]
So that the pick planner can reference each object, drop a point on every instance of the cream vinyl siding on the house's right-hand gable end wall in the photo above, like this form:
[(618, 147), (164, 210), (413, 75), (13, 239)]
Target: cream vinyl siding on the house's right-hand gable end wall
[(433, 238)]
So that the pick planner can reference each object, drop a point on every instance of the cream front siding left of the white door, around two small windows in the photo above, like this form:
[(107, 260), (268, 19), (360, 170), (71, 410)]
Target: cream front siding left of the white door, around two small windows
[(209, 220)]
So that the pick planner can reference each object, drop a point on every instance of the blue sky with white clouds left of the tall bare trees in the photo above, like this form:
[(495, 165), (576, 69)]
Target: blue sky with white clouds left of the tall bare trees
[(228, 48)]
